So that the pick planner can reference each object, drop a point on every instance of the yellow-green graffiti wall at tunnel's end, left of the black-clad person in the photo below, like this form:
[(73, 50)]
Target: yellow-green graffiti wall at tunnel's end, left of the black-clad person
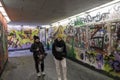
[(21, 37)]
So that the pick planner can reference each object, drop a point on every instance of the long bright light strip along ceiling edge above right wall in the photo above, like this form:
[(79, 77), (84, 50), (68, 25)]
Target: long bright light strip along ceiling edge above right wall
[(84, 13)]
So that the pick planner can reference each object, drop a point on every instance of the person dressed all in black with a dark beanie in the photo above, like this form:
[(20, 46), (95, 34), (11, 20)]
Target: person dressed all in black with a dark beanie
[(38, 53)]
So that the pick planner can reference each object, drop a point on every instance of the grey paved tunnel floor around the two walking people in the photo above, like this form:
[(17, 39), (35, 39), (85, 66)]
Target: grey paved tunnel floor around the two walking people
[(22, 68)]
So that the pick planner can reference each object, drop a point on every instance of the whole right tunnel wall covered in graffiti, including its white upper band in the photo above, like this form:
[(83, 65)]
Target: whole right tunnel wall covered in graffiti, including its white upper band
[(94, 39)]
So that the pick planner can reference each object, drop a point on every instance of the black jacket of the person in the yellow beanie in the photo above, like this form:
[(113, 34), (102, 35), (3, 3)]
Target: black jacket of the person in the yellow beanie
[(59, 55)]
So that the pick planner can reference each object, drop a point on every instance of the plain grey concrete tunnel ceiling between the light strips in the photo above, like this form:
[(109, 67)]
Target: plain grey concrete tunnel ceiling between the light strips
[(46, 11)]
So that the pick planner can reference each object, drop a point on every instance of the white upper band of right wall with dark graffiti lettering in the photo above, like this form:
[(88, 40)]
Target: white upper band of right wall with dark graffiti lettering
[(99, 15)]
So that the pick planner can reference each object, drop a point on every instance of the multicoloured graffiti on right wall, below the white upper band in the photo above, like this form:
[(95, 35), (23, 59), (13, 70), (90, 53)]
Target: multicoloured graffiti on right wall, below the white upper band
[(97, 45)]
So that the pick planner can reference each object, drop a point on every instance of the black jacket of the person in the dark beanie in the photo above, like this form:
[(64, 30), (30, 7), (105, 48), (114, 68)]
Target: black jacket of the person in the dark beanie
[(34, 47)]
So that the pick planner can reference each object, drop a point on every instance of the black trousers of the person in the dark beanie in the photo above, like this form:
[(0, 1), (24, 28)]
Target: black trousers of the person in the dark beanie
[(37, 63)]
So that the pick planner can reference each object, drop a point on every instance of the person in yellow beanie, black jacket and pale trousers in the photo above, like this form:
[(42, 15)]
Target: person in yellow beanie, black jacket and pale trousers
[(59, 52)]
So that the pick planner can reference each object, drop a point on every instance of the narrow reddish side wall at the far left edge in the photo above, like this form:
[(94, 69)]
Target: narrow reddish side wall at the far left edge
[(3, 42)]
